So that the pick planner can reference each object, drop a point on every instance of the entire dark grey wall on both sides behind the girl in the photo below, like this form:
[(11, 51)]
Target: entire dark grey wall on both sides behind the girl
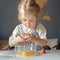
[(8, 18)]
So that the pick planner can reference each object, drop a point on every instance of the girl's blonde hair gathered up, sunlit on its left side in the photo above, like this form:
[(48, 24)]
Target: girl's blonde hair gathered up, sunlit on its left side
[(27, 6)]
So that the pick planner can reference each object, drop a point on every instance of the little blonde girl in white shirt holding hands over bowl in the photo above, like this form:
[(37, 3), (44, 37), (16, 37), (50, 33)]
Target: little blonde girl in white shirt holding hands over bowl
[(29, 30)]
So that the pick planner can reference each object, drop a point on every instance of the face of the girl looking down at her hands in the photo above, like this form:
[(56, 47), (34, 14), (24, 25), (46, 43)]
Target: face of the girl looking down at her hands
[(30, 21)]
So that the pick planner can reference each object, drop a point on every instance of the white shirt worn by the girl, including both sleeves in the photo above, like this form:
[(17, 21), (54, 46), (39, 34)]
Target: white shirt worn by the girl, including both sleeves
[(40, 31)]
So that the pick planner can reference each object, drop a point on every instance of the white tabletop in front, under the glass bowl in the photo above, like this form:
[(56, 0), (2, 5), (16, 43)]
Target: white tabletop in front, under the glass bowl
[(50, 55)]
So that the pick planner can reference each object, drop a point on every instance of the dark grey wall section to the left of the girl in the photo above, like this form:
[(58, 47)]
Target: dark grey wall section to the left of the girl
[(8, 17)]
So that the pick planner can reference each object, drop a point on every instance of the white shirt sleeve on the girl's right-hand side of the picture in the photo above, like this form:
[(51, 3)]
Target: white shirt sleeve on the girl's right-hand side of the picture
[(41, 31)]
